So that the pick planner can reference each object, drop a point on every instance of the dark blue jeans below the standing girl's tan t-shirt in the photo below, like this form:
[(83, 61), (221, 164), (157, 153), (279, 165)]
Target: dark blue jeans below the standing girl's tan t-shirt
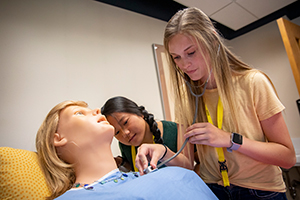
[(236, 193)]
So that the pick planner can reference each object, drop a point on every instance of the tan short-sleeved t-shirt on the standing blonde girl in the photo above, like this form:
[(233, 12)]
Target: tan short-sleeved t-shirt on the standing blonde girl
[(257, 101)]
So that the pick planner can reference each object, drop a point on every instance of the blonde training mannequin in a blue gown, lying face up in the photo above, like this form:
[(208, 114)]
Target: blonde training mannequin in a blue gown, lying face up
[(74, 148)]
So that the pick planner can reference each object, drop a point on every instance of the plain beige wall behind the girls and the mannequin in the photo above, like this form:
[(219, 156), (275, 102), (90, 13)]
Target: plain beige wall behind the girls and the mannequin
[(85, 50)]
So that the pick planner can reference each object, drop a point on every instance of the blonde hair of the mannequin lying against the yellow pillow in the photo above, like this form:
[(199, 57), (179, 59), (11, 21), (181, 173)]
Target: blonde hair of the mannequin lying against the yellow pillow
[(59, 175)]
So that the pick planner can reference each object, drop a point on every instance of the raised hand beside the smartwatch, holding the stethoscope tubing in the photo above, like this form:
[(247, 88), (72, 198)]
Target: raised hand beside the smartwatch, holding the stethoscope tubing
[(207, 134)]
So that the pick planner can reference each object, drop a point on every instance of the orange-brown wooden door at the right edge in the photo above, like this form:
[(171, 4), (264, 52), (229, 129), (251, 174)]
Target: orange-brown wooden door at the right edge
[(290, 34)]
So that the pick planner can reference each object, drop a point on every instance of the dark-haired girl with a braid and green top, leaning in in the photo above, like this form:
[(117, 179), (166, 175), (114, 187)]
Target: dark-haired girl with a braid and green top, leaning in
[(135, 126)]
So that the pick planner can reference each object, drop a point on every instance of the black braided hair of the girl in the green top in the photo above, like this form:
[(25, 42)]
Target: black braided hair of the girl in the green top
[(122, 104)]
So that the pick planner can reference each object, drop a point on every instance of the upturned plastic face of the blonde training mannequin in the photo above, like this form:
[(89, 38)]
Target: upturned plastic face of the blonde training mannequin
[(81, 128)]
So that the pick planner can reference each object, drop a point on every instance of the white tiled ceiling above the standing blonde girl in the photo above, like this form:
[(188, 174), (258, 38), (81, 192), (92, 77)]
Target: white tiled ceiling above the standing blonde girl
[(236, 14)]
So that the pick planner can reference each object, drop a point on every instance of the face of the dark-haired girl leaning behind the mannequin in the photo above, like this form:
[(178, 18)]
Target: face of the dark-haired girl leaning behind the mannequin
[(130, 129)]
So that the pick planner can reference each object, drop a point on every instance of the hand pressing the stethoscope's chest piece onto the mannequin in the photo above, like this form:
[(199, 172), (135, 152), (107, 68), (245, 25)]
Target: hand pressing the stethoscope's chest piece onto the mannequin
[(148, 153)]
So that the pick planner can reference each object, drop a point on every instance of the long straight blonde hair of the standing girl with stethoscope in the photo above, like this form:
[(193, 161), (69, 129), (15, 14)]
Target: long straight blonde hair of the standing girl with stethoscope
[(194, 23)]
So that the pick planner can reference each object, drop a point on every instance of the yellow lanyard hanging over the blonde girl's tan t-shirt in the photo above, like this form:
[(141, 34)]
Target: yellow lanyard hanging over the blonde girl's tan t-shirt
[(222, 161)]
